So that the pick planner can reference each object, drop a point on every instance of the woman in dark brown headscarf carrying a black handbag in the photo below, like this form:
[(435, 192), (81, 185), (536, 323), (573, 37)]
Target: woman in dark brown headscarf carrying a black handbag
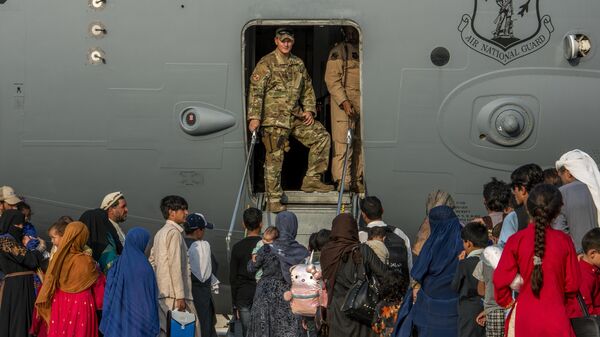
[(339, 261)]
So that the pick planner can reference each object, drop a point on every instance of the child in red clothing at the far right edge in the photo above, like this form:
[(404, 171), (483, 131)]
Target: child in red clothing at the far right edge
[(589, 265)]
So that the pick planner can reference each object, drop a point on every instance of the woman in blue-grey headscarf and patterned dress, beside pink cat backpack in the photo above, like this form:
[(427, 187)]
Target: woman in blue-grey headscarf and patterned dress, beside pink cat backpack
[(271, 315)]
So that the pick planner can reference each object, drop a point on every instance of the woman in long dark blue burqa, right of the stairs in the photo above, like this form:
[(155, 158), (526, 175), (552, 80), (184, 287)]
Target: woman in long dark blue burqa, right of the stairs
[(430, 309)]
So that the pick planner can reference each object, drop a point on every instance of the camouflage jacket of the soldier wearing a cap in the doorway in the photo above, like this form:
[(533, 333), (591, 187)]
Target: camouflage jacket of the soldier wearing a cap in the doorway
[(280, 89)]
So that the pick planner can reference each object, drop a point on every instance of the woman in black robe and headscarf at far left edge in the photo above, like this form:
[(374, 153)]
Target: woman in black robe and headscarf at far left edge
[(17, 296)]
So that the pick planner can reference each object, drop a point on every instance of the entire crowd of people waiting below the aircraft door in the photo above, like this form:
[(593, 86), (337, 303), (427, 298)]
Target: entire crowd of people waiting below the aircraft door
[(536, 253)]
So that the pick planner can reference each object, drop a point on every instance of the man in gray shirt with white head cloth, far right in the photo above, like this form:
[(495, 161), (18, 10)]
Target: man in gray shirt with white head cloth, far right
[(579, 214)]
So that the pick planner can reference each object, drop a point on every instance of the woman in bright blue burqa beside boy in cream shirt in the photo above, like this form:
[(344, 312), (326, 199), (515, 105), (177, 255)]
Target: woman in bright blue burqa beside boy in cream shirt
[(131, 294)]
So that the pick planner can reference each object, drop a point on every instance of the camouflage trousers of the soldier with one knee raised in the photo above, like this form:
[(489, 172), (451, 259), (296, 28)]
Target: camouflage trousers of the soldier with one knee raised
[(275, 139)]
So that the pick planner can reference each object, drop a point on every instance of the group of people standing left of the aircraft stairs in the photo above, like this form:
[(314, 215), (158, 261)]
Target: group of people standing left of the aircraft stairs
[(96, 280)]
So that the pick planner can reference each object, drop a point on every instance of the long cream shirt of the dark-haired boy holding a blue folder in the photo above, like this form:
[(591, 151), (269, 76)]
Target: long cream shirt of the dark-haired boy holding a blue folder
[(170, 262)]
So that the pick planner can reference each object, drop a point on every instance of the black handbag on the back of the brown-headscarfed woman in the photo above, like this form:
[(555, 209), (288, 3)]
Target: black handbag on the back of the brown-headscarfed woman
[(362, 297)]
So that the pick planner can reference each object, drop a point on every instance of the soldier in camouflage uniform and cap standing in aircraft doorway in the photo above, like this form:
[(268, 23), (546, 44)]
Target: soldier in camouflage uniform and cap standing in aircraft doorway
[(282, 101)]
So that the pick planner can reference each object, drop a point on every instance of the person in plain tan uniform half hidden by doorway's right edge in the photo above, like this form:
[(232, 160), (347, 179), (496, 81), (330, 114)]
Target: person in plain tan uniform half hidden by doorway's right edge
[(342, 76)]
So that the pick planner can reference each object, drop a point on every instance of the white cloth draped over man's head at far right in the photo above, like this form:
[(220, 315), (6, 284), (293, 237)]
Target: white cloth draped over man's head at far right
[(584, 169)]
